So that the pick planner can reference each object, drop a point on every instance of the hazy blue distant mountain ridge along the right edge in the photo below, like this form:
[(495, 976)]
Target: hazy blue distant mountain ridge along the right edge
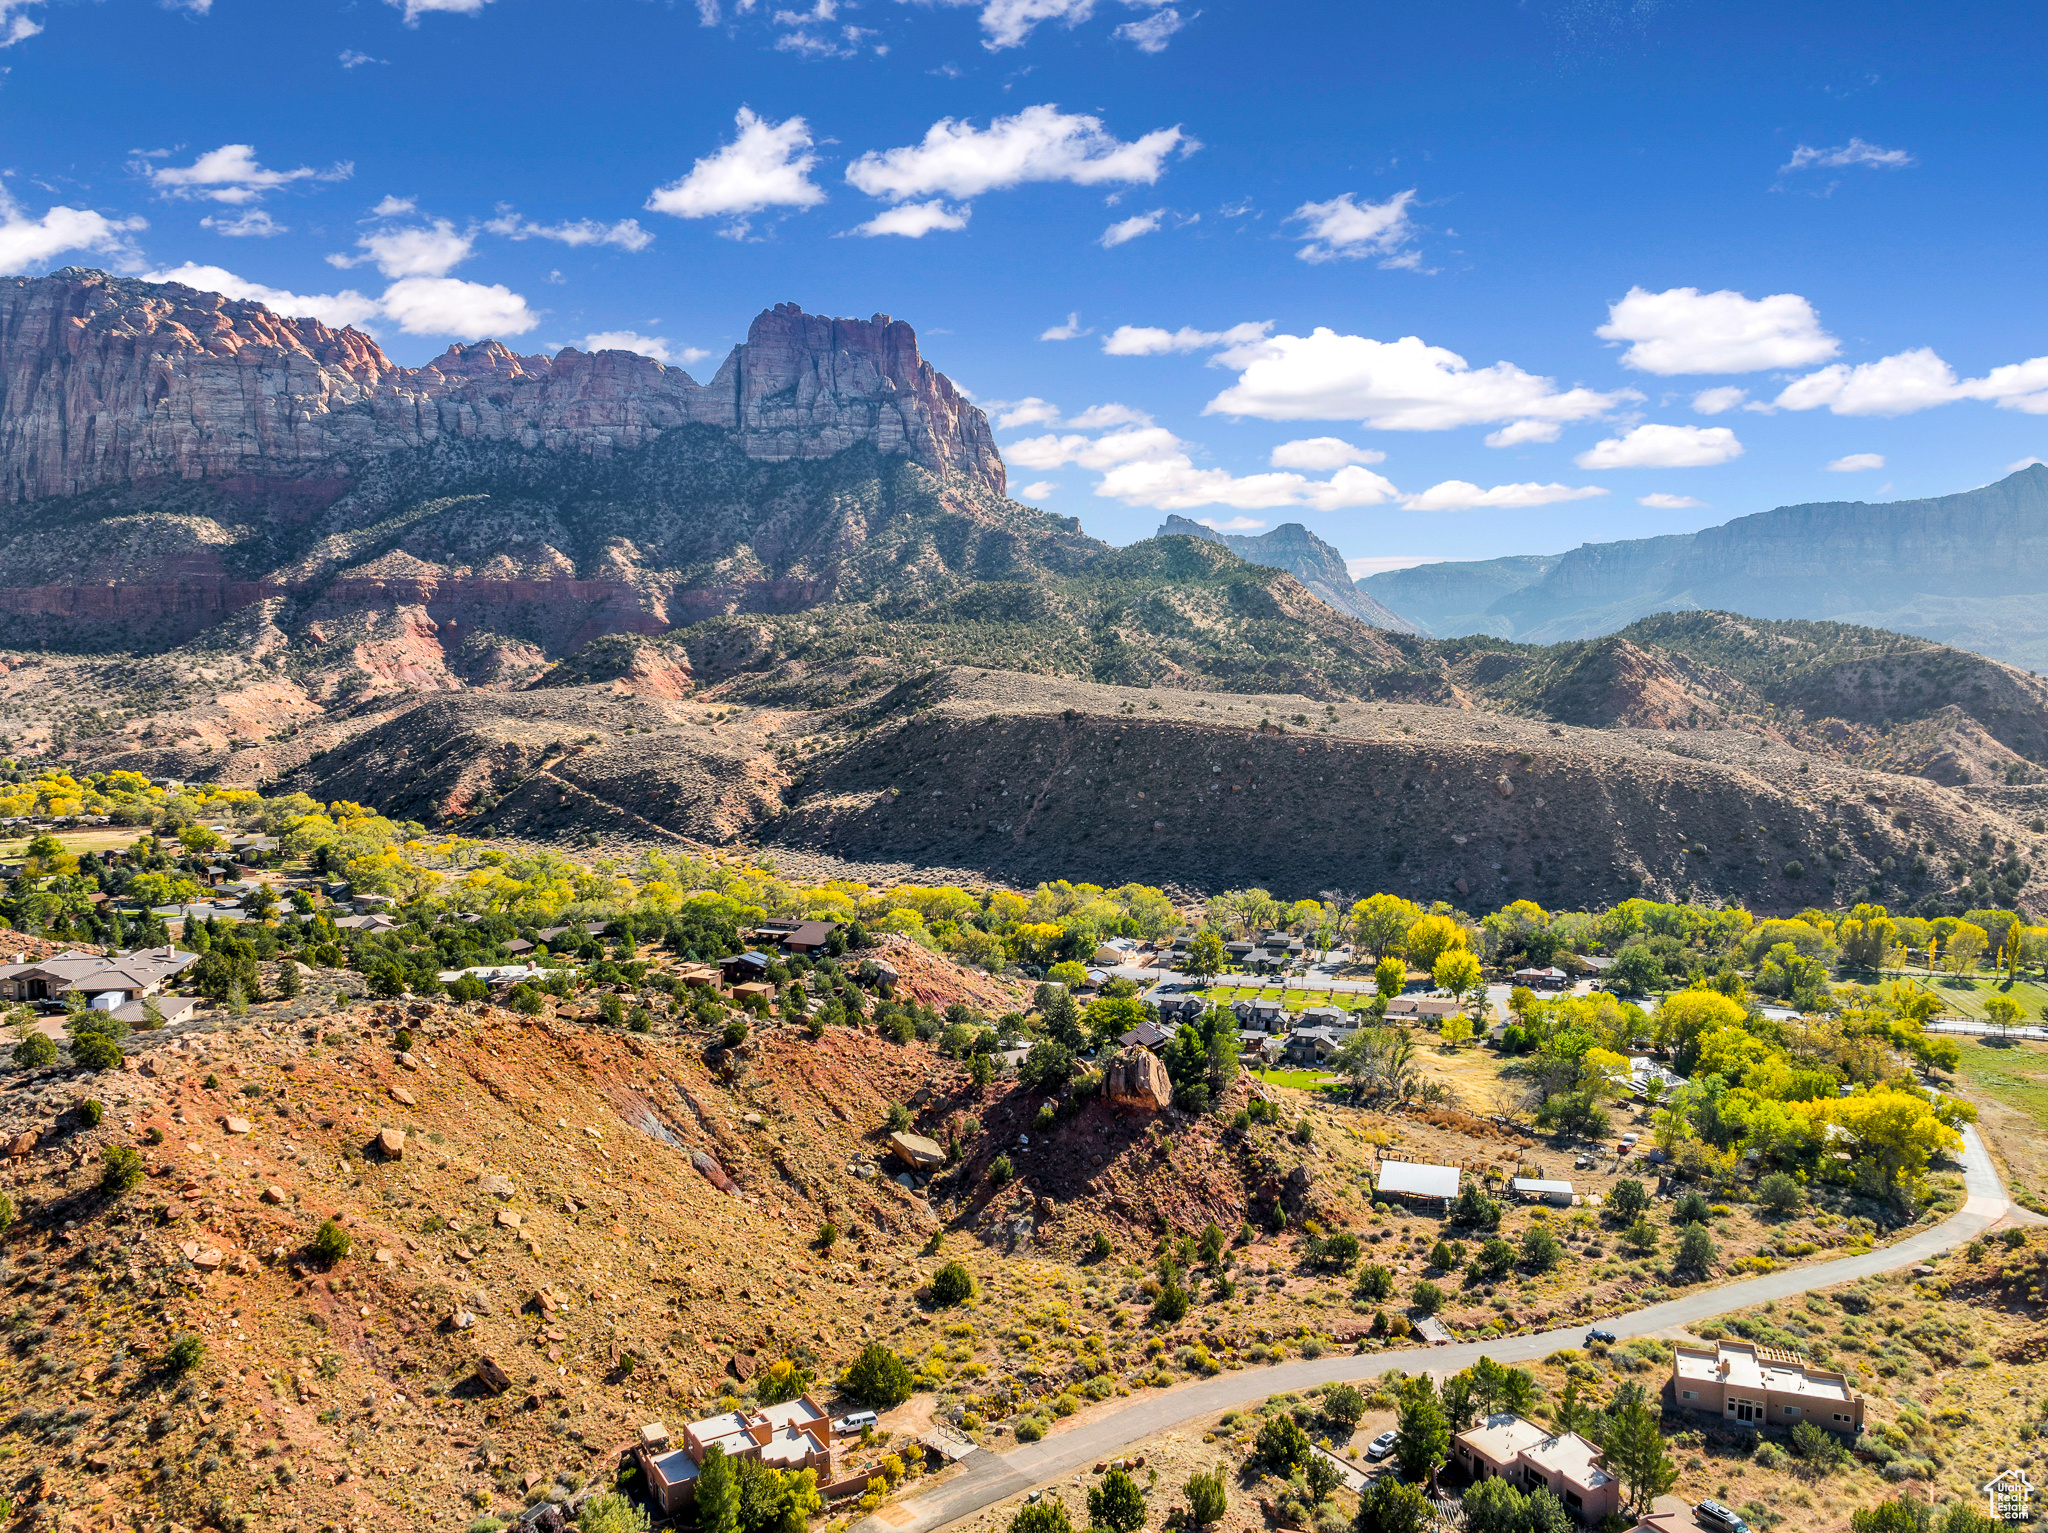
[(1967, 570)]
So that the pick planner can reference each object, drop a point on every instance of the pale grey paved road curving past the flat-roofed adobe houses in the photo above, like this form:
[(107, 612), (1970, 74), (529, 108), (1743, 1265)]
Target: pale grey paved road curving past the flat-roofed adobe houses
[(992, 1477)]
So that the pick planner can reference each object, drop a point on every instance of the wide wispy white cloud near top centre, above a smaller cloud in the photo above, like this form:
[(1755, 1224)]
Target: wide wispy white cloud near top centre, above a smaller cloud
[(1041, 144)]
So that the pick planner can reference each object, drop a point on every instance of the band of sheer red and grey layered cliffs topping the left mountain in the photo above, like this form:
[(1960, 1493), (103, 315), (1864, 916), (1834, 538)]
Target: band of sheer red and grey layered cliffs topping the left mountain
[(110, 382)]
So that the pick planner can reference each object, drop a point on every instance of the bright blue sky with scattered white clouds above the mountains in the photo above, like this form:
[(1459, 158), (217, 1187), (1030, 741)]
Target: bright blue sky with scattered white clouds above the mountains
[(1439, 281)]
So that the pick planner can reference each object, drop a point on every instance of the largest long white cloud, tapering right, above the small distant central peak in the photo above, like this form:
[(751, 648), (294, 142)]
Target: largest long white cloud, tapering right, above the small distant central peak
[(1398, 386)]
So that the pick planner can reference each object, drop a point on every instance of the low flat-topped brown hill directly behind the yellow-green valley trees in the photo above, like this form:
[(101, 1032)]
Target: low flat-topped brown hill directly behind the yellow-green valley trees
[(996, 775)]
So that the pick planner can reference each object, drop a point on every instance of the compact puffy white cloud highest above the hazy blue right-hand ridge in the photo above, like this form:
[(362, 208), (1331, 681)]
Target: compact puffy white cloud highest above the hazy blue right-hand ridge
[(1687, 331)]
